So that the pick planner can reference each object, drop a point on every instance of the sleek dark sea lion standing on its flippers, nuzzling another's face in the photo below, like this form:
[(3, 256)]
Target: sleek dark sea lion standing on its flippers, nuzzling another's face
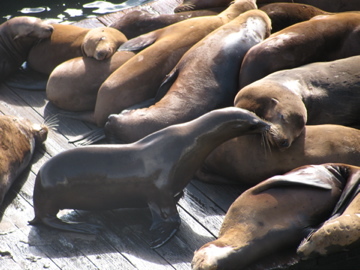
[(141, 174)]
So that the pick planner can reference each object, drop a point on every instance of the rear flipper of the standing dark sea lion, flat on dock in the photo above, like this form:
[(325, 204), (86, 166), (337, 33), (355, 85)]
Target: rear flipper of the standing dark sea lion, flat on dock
[(56, 223)]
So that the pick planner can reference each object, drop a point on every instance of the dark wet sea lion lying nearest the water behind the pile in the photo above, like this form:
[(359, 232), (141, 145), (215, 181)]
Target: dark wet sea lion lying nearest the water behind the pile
[(139, 22)]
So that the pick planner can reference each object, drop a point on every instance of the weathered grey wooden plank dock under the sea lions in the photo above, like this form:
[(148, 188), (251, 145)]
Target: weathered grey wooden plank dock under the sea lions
[(124, 240)]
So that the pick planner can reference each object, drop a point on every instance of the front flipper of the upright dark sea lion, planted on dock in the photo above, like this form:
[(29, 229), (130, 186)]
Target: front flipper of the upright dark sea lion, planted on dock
[(166, 221)]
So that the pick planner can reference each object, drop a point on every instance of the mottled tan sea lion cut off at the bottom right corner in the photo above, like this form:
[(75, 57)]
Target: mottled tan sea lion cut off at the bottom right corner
[(343, 230)]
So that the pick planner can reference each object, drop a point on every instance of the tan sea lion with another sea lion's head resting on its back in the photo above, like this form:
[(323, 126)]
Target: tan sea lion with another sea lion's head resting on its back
[(74, 84)]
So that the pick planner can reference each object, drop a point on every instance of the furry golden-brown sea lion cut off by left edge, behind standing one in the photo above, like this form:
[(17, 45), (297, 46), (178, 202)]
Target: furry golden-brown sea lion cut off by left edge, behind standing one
[(18, 140)]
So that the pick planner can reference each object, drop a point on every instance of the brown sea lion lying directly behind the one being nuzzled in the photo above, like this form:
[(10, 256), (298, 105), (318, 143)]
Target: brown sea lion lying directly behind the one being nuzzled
[(322, 38)]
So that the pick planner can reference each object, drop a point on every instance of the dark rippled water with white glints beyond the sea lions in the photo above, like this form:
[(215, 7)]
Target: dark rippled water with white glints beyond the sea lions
[(63, 10)]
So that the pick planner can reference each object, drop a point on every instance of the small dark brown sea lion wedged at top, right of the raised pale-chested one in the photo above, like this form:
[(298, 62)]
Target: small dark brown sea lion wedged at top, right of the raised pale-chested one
[(283, 15)]
